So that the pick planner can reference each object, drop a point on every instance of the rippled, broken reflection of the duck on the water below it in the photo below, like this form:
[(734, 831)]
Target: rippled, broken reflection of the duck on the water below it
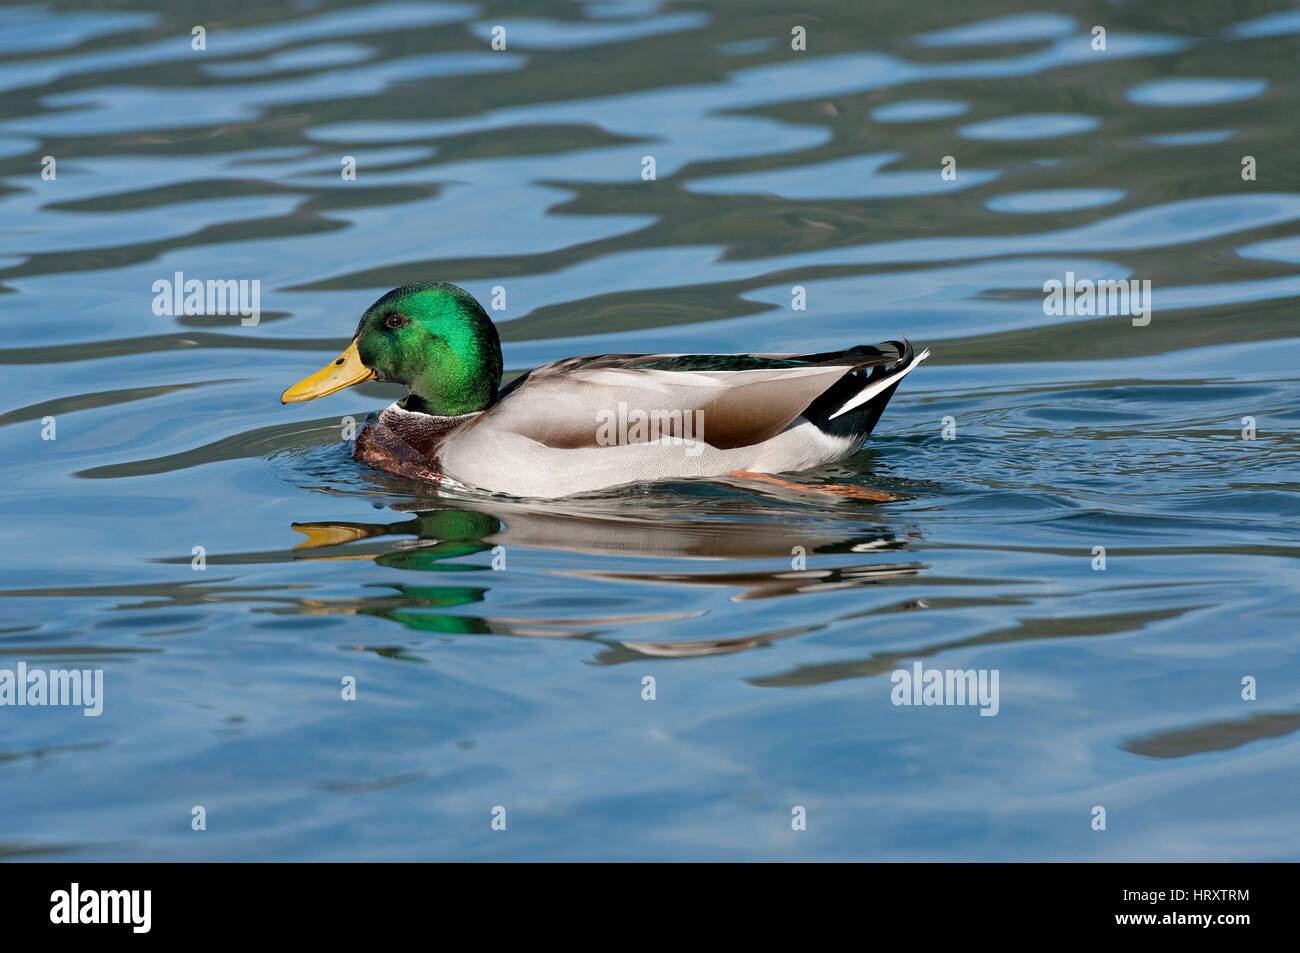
[(437, 536)]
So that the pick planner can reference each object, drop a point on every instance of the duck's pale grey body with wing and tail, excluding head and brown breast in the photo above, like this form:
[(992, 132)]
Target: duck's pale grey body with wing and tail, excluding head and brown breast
[(591, 423)]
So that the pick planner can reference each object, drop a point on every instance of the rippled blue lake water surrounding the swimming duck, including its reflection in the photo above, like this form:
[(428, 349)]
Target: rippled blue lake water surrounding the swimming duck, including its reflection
[(1102, 510)]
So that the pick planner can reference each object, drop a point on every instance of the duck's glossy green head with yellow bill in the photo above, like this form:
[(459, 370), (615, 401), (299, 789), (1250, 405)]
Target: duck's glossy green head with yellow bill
[(432, 337)]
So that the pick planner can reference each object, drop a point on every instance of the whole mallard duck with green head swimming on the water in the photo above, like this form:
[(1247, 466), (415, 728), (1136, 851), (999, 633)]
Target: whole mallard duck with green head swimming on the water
[(591, 423)]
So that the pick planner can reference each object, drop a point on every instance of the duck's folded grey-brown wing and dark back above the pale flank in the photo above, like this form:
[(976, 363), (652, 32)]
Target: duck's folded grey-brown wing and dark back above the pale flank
[(744, 398)]
